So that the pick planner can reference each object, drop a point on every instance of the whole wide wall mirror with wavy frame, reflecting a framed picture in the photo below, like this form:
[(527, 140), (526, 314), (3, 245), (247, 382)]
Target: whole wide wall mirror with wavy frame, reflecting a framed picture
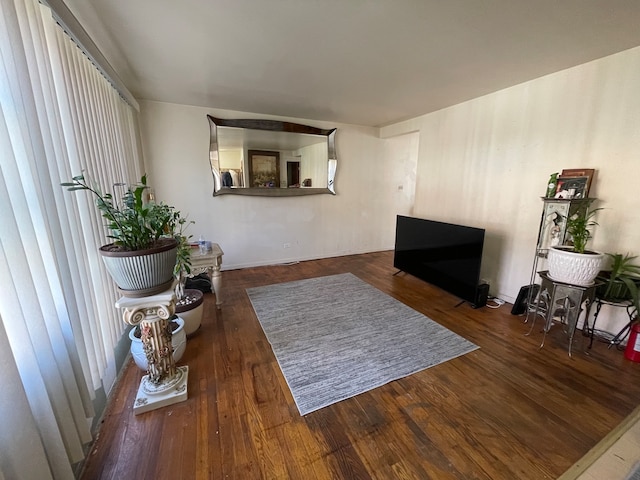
[(271, 158)]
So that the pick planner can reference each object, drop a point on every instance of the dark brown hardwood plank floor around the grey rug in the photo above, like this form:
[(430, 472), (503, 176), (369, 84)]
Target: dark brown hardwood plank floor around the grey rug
[(505, 411)]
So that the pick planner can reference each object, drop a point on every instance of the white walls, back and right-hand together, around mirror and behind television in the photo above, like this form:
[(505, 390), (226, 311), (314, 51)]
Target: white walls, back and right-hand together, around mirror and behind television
[(483, 163)]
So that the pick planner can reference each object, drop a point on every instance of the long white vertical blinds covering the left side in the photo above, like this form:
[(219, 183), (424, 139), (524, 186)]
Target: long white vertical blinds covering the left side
[(59, 117)]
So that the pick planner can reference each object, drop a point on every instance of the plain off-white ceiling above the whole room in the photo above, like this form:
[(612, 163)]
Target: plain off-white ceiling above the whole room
[(363, 62)]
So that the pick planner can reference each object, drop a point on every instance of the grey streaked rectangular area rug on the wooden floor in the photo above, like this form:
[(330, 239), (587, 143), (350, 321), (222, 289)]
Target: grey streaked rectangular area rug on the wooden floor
[(337, 336)]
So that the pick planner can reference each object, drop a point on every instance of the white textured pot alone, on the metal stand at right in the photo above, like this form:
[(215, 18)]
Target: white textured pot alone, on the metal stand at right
[(574, 268)]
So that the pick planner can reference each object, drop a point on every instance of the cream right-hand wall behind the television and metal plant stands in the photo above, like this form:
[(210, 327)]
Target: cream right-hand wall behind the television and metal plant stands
[(486, 162)]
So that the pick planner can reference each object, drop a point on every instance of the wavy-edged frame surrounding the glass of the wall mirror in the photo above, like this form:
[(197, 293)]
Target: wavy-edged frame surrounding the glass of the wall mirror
[(274, 126)]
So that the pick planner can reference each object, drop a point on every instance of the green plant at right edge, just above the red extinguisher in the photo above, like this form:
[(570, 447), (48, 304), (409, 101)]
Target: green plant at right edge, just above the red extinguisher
[(622, 281)]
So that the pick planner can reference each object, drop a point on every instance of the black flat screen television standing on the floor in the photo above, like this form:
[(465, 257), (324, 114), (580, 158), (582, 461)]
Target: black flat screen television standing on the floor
[(443, 254)]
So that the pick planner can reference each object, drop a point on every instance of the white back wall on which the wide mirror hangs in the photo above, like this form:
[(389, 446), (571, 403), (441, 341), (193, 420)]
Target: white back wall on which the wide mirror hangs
[(252, 230)]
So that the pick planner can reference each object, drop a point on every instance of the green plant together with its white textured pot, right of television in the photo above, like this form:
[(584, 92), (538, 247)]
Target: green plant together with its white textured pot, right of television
[(573, 263)]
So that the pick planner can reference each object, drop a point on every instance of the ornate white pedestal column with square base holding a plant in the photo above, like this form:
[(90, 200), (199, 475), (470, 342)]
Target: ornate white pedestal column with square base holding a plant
[(164, 384)]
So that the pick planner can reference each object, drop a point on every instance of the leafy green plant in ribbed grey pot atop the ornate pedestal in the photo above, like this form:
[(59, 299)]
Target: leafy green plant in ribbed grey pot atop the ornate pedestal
[(148, 241)]
